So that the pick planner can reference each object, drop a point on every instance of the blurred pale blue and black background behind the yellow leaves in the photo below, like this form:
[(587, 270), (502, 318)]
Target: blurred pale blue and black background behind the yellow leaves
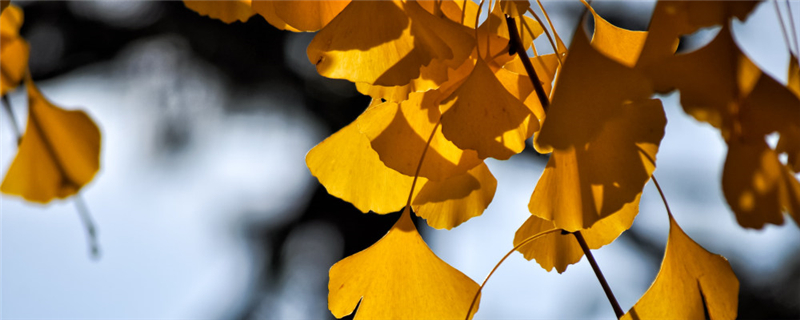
[(206, 210)]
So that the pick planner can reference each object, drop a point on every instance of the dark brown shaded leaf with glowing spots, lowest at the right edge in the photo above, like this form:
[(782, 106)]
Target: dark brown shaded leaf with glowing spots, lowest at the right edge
[(757, 186)]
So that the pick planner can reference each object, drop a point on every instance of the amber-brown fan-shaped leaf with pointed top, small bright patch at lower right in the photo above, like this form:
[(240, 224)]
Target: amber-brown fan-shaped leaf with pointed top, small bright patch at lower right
[(482, 115)]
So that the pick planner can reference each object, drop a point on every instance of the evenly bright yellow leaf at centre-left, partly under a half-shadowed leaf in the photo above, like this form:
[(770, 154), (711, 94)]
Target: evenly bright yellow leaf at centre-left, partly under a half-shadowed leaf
[(350, 170)]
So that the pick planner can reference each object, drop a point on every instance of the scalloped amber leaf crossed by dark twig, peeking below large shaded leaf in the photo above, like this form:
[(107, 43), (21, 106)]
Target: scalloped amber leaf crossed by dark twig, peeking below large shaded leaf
[(561, 250)]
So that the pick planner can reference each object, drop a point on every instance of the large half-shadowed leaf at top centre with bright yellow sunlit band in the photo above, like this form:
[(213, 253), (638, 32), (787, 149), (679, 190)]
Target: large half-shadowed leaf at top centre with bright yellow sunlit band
[(389, 50)]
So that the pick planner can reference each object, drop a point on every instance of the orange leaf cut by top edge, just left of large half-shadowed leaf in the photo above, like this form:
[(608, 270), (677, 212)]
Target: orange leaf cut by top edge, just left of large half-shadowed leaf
[(309, 15)]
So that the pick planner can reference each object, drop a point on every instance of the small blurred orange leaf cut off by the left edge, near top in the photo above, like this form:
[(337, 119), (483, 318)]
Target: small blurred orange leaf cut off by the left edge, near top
[(13, 50)]
